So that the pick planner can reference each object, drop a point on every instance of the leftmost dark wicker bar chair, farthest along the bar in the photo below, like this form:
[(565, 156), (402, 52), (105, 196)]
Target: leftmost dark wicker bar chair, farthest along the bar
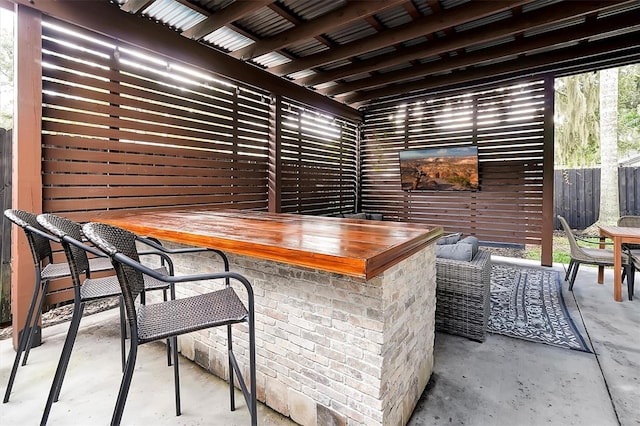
[(46, 270)]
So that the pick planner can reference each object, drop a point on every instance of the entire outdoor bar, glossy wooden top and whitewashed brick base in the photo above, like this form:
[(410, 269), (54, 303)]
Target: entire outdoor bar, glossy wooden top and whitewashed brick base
[(344, 307)]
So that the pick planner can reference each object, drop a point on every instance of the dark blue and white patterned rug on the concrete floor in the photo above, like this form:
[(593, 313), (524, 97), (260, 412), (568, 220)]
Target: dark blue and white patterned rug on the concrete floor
[(527, 303)]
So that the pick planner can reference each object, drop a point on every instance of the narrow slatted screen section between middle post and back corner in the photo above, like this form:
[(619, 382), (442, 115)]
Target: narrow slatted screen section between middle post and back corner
[(318, 162)]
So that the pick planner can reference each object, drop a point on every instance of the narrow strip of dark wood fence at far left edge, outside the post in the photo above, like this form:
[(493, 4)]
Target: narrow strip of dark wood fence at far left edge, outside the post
[(5, 226)]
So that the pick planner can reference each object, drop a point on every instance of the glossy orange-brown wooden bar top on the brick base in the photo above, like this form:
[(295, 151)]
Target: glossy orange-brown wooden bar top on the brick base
[(354, 247)]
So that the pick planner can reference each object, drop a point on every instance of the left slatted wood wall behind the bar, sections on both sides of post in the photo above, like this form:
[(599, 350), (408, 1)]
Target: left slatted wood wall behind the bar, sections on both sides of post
[(128, 130)]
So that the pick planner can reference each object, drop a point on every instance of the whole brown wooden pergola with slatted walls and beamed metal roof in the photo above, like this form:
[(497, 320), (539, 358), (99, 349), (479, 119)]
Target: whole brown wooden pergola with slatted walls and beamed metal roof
[(369, 71)]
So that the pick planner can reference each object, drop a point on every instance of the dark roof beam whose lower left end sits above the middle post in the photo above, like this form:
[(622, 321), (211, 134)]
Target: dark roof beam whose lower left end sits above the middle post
[(419, 27)]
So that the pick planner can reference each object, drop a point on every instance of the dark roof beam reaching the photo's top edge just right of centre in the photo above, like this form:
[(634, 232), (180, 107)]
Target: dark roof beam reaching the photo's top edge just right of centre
[(351, 12)]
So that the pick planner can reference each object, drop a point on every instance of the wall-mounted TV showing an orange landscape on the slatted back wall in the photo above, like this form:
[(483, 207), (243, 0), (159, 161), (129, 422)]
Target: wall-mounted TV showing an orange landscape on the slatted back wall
[(439, 169)]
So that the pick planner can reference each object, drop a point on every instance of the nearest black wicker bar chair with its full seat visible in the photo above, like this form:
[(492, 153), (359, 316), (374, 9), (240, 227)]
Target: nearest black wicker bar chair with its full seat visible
[(148, 323)]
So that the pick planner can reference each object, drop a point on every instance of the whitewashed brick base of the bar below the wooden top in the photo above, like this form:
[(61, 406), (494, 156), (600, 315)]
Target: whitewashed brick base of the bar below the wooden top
[(330, 349)]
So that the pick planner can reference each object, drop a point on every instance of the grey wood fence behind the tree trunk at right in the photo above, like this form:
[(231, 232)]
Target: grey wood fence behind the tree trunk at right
[(577, 194)]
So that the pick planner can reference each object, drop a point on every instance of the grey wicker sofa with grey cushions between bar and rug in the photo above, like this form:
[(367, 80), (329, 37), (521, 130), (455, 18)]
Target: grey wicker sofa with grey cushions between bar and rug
[(463, 300)]
